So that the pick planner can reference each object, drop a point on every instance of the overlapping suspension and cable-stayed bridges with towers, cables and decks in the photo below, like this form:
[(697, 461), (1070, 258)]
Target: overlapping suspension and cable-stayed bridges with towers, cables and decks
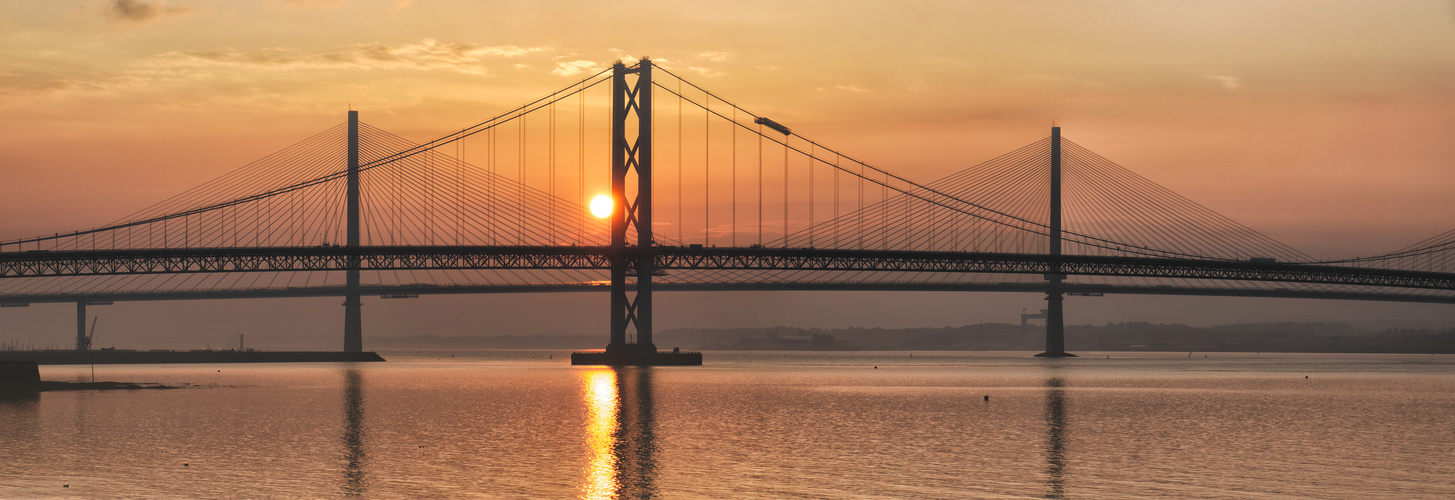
[(750, 206)]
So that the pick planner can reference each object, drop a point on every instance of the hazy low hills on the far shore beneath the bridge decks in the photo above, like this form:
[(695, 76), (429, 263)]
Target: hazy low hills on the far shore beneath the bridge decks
[(1332, 338)]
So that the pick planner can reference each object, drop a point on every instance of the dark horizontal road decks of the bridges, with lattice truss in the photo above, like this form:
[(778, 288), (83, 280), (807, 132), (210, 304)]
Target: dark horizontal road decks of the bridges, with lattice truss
[(1389, 284)]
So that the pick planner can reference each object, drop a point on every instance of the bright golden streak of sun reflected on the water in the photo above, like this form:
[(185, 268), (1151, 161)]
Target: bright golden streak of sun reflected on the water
[(602, 428)]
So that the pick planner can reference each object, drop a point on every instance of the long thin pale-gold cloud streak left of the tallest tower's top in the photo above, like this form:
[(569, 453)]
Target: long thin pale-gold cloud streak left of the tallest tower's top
[(427, 55)]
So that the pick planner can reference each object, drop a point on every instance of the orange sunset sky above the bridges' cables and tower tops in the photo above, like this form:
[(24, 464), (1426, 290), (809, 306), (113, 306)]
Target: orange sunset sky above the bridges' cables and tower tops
[(1323, 124)]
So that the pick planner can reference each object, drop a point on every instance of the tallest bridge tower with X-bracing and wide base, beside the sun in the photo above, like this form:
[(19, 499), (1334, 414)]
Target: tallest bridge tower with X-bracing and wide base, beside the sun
[(632, 211)]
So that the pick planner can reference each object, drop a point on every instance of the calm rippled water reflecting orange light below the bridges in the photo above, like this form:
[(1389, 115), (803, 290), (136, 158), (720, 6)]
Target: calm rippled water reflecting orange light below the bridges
[(749, 425)]
